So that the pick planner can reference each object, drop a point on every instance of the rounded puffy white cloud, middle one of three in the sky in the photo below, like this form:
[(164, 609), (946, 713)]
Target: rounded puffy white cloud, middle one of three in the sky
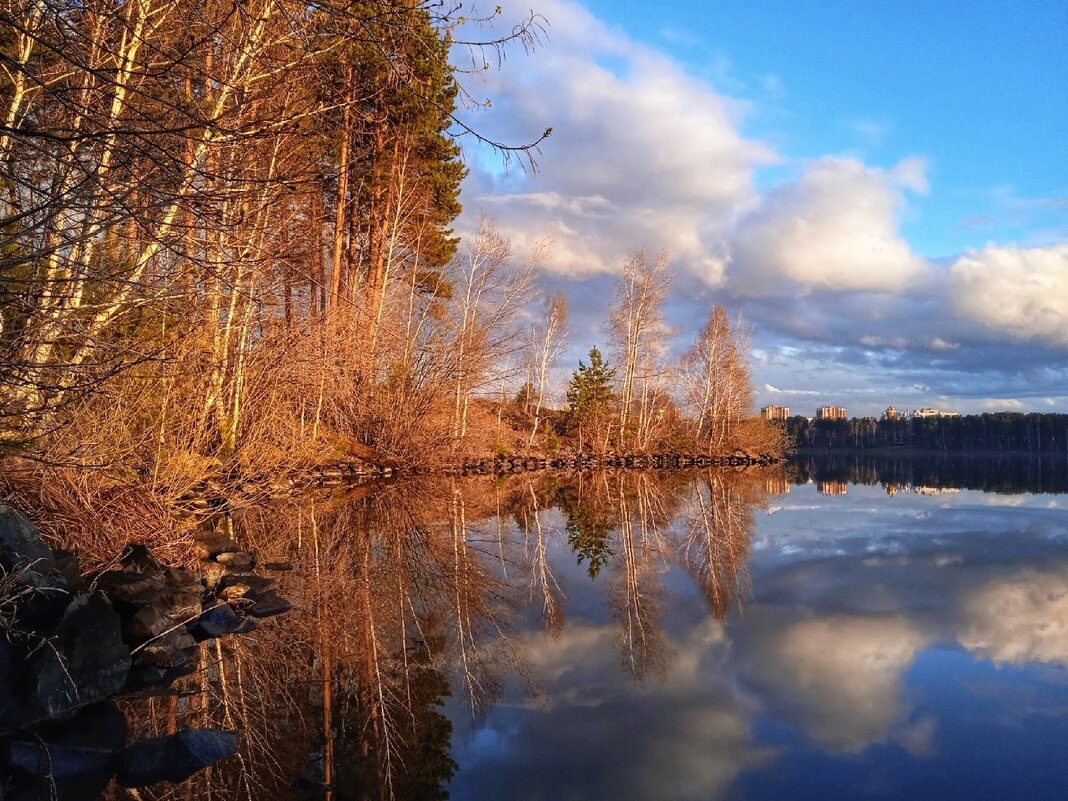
[(834, 229)]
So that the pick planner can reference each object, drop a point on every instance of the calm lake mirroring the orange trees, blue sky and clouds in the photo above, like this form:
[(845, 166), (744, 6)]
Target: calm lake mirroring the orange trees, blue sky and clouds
[(847, 627)]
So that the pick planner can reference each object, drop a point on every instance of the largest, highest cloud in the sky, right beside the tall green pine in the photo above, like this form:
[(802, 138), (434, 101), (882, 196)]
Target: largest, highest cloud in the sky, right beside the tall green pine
[(641, 153)]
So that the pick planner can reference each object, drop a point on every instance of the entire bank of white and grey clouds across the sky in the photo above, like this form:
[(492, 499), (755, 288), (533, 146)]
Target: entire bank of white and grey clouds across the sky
[(646, 154)]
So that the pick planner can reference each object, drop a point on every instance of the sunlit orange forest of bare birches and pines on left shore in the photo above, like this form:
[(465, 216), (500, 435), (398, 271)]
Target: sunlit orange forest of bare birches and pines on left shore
[(226, 249)]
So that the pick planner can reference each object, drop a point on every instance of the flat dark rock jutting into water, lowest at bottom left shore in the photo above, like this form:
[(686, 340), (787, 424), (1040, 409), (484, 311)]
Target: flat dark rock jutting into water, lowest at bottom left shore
[(175, 759)]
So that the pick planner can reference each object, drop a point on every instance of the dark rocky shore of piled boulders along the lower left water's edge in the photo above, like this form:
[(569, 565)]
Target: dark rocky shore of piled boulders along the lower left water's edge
[(72, 646)]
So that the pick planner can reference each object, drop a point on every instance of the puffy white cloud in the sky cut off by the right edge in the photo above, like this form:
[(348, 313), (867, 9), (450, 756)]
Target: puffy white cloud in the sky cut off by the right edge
[(1016, 291)]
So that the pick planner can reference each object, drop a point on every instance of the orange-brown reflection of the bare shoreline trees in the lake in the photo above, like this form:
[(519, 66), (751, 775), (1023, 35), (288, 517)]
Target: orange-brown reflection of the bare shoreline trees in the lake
[(417, 592)]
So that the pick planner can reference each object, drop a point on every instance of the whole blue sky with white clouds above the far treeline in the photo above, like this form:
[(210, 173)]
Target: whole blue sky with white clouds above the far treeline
[(879, 189)]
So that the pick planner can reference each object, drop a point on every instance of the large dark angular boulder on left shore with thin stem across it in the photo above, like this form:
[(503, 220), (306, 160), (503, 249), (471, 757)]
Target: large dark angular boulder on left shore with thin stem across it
[(86, 661)]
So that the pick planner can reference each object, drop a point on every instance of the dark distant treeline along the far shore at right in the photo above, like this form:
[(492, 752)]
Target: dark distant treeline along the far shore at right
[(999, 432)]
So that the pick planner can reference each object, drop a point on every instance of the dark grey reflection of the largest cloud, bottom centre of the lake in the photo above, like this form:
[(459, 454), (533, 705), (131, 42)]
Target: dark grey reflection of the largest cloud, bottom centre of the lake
[(689, 736)]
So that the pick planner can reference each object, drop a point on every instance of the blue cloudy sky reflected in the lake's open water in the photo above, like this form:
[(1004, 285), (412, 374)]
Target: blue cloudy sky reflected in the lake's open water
[(873, 646)]
